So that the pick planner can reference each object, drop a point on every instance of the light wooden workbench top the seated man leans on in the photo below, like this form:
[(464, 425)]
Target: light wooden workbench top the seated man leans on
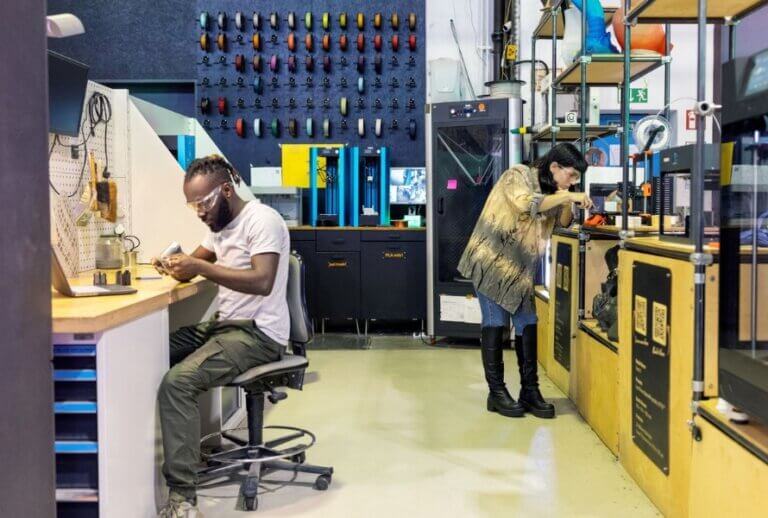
[(94, 314)]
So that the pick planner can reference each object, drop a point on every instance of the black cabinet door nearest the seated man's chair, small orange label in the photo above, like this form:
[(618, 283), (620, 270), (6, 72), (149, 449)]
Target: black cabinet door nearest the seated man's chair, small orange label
[(338, 285)]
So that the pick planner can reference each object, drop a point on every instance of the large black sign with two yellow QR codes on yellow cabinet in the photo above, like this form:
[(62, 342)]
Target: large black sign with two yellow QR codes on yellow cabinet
[(651, 298)]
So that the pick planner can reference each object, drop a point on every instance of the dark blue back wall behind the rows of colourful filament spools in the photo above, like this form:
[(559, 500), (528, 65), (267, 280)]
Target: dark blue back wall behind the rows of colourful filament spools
[(156, 42)]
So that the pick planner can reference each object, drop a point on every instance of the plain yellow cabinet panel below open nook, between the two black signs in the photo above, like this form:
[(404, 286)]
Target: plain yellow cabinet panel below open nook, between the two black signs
[(597, 362)]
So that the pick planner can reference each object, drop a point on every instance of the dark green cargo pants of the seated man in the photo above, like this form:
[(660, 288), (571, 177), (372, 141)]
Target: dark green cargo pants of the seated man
[(210, 354)]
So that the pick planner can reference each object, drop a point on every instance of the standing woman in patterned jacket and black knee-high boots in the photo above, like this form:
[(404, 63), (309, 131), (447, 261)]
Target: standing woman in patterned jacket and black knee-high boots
[(502, 257)]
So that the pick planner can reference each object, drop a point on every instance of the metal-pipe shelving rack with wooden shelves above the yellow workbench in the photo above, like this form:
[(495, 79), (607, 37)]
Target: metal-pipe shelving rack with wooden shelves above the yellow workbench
[(601, 71)]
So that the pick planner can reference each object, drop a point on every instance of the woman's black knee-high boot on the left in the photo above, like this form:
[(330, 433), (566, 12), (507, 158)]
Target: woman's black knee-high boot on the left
[(499, 399)]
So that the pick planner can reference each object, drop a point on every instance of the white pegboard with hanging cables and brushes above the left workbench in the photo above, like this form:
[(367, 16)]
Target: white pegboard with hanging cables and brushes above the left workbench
[(76, 244)]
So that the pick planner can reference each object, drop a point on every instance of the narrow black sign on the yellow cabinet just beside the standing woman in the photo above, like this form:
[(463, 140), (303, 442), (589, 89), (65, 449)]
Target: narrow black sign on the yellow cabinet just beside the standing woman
[(563, 298)]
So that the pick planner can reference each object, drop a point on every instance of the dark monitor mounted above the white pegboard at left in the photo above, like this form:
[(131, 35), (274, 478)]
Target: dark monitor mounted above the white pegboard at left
[(67, 82)]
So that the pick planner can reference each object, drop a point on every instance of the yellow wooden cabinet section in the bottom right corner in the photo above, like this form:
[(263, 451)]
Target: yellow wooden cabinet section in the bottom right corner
[(729, 468)]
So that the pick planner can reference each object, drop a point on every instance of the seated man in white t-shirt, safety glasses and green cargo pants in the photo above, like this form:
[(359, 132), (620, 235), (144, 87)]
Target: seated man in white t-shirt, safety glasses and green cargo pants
[(246, 253)]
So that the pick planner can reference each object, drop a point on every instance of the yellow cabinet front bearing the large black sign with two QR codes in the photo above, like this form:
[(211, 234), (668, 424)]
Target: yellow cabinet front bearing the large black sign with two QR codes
[(656, 307)]
